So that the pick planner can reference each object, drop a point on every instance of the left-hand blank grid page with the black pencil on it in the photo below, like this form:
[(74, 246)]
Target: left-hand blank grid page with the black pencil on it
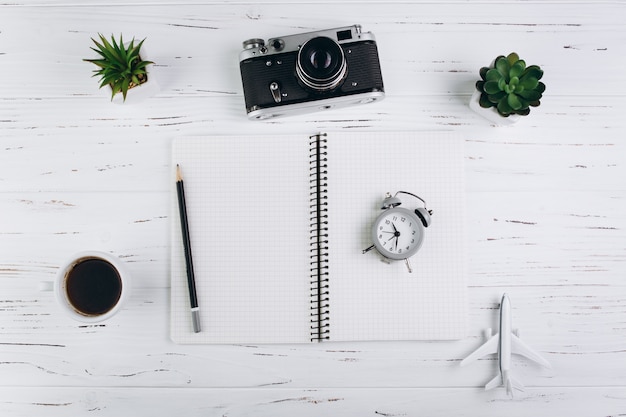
[(247, 203)]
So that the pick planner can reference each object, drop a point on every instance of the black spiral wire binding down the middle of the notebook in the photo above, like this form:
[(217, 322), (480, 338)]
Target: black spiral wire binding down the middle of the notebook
[(318, 192)]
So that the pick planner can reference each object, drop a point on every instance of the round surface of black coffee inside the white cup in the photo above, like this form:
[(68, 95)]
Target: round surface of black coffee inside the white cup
[(93, 286)]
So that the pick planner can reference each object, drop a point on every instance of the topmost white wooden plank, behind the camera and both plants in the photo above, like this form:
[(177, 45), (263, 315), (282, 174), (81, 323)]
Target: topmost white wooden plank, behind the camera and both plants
[(424, 48)]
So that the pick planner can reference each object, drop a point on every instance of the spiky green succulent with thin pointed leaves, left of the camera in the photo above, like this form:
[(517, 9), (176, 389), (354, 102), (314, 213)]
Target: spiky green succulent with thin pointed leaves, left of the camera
[(119, 65)]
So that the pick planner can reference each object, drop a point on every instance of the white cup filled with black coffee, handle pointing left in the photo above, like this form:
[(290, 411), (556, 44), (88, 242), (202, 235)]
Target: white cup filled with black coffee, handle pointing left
[(91, 286)]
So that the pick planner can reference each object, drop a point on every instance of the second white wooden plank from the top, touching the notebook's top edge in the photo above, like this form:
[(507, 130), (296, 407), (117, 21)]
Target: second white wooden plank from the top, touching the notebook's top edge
[(569, 143)]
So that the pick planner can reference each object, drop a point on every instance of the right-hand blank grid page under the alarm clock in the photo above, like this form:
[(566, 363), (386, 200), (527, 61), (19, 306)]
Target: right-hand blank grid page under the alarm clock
[(372, 300)]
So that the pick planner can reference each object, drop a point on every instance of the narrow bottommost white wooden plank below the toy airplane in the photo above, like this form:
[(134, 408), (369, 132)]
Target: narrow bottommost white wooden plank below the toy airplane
[(584, 402)]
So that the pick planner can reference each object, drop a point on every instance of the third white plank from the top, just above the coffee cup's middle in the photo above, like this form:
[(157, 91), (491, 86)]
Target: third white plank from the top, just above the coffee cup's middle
[(541, 237)]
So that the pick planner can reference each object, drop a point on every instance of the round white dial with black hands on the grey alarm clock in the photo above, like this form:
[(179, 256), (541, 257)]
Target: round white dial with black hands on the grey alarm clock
[(398, 233)]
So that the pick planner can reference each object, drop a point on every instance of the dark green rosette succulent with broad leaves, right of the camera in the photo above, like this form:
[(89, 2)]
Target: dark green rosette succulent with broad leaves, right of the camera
[(510, 86)]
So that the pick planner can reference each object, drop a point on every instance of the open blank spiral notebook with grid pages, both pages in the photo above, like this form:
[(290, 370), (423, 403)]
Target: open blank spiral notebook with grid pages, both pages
[(252, 208)]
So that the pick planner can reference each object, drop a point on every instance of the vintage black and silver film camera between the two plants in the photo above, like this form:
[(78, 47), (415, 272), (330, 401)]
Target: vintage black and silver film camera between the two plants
[(310, 72)]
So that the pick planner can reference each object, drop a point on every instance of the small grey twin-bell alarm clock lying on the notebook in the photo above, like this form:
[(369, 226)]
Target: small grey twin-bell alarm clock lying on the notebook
[(398, 233)]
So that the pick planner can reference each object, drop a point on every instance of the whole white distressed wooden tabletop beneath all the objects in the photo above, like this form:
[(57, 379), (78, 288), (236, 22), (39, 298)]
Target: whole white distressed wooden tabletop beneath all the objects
[(546, 207)]
